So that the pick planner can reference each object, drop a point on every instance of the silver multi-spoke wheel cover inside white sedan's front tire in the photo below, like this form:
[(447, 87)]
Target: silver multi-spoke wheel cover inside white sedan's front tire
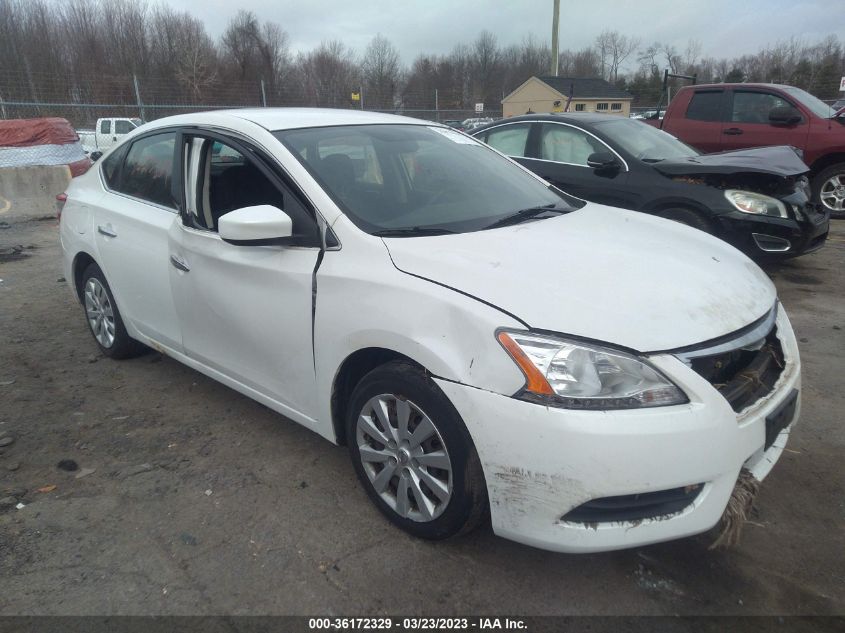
[(404, 457)]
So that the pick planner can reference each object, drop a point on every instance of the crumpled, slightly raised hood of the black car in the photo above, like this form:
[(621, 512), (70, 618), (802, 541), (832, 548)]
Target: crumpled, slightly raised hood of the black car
[(777, 161)]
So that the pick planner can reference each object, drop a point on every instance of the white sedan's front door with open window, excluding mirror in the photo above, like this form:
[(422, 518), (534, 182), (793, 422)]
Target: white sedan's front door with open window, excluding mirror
[(246, 311)]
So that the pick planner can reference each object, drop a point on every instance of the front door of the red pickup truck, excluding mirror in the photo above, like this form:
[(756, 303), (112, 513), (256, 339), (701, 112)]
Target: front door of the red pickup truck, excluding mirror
[(747, 121)]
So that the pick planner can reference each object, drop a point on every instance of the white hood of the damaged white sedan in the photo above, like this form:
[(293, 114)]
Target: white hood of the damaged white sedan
[(602, 273)]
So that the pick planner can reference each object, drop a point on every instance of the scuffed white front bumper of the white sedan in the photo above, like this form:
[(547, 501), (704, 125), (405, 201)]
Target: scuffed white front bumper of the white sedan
[(541, 462)]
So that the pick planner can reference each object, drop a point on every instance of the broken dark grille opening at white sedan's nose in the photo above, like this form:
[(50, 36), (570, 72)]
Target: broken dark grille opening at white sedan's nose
[(744, 375)]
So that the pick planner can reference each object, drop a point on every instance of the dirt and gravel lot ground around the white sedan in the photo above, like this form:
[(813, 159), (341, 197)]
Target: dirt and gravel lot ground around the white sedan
[(189, 498)]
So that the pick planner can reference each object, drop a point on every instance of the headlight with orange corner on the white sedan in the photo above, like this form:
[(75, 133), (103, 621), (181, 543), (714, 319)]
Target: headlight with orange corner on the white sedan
[(577, 375)]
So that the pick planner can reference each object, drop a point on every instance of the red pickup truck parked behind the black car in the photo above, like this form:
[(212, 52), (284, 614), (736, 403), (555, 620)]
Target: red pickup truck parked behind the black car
[(722, 117)]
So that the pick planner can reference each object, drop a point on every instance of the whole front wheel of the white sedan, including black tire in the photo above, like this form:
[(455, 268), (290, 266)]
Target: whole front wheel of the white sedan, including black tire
[(428, 480)]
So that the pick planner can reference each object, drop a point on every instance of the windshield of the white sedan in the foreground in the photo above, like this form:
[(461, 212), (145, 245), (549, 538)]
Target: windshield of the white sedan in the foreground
[(416, 178)]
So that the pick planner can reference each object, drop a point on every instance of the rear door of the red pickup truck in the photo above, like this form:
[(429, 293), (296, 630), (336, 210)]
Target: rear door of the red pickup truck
[(698, 122)]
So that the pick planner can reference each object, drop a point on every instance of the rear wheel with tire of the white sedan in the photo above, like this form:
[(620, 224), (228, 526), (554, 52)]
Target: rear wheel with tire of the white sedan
[(103, 317)]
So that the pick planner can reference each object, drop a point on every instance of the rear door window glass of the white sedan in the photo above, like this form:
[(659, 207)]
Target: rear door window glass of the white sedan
[(148, 170)]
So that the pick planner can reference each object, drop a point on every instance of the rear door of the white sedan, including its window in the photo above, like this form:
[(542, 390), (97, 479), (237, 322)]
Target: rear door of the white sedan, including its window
[(132, 221)]
